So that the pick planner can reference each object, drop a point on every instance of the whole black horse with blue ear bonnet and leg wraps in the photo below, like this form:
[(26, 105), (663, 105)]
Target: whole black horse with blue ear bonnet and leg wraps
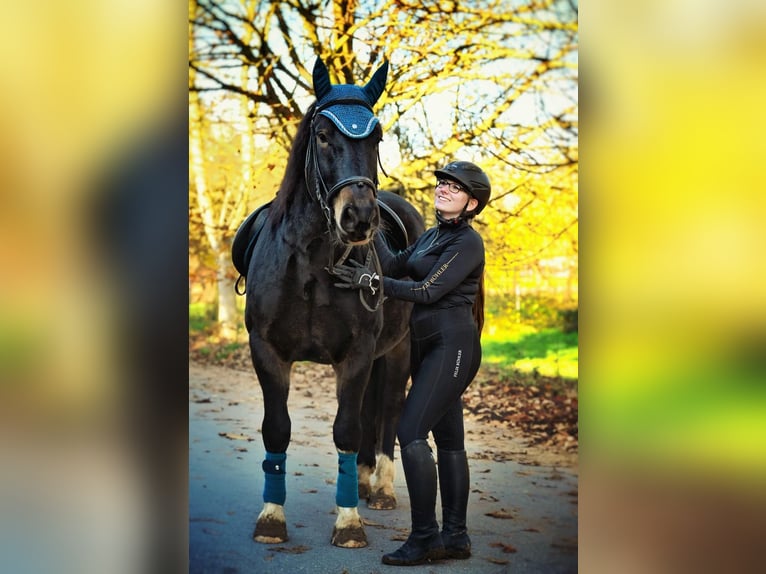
[(327, 210)]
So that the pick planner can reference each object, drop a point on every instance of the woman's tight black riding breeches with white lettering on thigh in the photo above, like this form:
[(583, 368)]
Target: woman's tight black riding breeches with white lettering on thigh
[(446, 353)]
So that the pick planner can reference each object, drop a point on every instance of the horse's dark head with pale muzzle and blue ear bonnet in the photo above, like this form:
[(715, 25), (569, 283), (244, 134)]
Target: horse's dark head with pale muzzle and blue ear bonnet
[(342, 156)]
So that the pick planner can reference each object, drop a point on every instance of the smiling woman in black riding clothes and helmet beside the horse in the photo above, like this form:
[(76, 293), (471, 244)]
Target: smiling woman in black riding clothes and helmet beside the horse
[(445, 266)]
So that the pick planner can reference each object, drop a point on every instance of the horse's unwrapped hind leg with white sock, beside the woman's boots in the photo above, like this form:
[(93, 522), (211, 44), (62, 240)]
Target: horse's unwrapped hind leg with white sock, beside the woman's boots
[(382, 496)]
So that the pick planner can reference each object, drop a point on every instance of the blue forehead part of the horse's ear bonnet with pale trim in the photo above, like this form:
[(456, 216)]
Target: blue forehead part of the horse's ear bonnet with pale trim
[(350, 110)]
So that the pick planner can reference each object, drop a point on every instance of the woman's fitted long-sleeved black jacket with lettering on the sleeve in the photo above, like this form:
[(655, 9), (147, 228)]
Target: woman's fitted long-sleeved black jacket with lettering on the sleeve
[(444, 267)]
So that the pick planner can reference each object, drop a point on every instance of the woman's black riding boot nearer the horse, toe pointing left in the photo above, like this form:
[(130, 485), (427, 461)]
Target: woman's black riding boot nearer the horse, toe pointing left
[(424, 543)]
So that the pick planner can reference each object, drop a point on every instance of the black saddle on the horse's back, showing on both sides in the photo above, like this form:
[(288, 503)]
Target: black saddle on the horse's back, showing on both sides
[(248, 232)]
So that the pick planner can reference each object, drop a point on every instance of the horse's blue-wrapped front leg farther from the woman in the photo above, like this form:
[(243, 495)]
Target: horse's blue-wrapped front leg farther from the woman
[(274, 378)]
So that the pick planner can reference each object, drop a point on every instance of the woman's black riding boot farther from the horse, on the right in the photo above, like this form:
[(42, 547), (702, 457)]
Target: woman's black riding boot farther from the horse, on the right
[(454, 485)]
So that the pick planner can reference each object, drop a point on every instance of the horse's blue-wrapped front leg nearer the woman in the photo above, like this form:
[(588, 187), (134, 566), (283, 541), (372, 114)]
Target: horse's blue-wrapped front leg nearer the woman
[(352, 376)]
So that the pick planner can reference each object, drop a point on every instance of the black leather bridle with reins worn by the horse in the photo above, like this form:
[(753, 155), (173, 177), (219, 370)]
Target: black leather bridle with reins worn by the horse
[(324, 197)]
